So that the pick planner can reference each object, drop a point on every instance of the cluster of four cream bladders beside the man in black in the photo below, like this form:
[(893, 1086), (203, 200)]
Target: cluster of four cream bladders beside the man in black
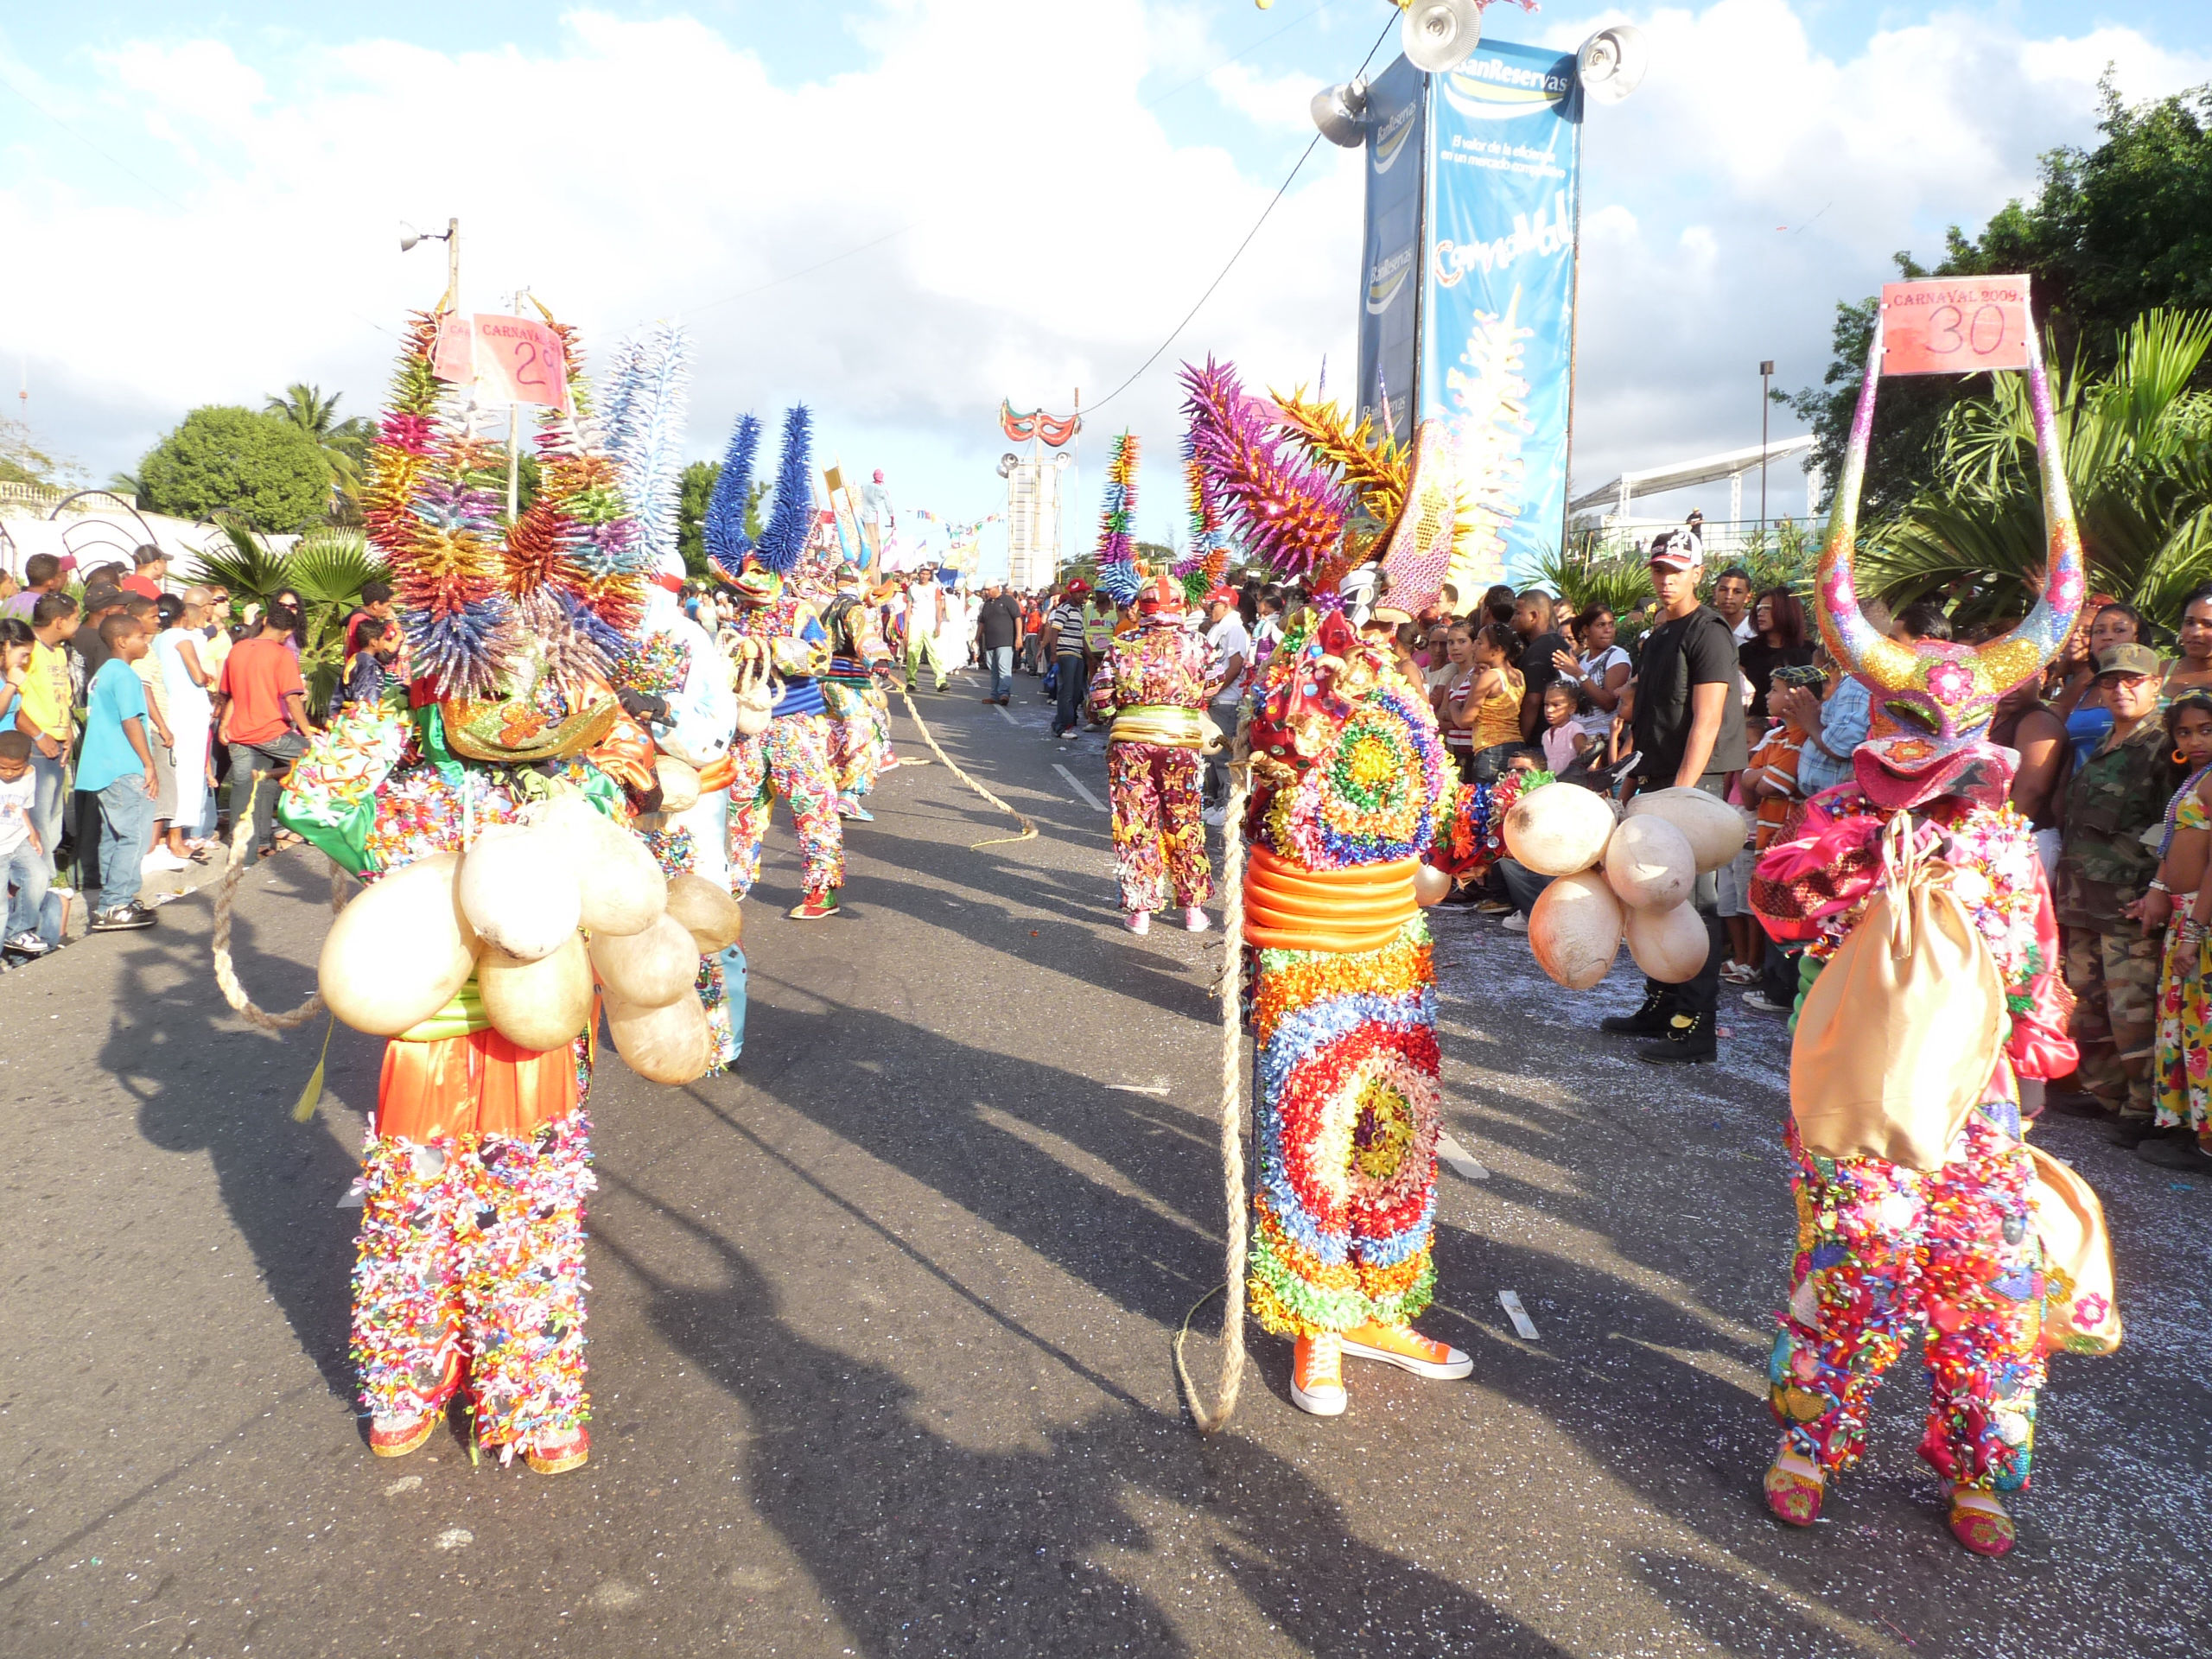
[(1620, 877)]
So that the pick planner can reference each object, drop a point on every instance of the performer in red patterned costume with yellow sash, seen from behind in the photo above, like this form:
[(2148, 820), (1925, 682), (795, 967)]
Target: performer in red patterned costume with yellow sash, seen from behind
[(1154, 689)]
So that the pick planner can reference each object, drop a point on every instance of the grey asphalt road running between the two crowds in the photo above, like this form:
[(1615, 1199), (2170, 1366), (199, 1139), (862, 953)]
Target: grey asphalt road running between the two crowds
[(879, 1326)]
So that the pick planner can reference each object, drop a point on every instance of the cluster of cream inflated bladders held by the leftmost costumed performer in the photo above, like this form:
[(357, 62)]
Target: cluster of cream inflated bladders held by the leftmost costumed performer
[(543, 917)]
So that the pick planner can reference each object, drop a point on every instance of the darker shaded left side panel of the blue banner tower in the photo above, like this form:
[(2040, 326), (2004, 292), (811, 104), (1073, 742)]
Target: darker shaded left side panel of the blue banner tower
[(1390, 267)]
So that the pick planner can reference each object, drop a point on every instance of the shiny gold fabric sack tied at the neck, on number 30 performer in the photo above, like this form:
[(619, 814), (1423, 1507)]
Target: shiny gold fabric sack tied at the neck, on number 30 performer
[(1906, 1025)]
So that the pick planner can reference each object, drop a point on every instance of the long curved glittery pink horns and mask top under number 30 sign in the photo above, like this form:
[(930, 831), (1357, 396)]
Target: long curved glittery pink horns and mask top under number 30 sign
[(1941, 696)]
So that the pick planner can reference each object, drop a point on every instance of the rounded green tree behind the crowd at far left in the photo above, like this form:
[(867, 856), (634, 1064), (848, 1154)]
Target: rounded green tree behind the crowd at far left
[(225, 461)]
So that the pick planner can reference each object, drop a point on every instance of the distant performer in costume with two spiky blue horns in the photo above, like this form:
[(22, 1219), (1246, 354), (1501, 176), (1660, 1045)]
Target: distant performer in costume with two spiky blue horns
[(773, 623)]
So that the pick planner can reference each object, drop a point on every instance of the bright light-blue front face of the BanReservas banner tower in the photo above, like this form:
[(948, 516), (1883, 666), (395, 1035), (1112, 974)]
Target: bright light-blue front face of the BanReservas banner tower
[(1499, 291)]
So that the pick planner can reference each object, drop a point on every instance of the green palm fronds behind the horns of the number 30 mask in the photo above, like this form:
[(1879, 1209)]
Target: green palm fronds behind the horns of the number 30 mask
[(2138, 450)]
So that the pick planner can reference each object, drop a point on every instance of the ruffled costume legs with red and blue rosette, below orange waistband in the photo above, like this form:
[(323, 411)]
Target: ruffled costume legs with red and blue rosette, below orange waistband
[(1348, 1118)]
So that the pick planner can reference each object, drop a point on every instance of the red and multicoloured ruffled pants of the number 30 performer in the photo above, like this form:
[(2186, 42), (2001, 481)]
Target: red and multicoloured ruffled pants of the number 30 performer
[(1886, 1251)]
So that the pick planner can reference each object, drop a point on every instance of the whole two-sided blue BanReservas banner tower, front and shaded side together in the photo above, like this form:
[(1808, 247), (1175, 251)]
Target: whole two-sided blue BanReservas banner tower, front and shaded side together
[(1470, 280)]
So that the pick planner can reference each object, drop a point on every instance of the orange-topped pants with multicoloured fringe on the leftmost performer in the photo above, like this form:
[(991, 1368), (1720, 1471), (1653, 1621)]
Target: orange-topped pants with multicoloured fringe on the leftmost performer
[(472, 1238)]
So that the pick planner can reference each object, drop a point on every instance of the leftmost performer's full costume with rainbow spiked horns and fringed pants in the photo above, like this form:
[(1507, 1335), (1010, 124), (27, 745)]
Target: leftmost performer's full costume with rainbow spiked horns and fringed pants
[(470, 1277)]
